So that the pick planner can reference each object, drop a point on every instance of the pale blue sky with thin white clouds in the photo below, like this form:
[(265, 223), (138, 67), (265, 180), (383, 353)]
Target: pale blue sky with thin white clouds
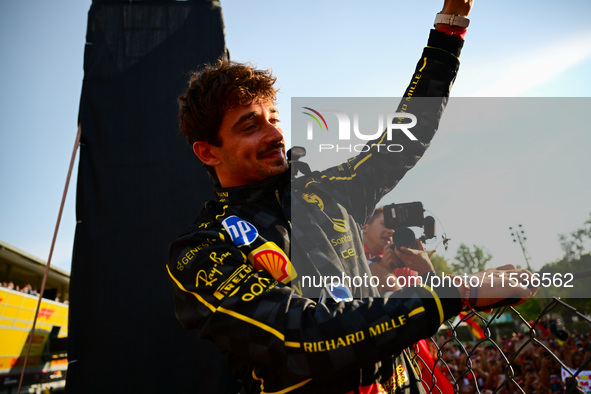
[(477, 182)]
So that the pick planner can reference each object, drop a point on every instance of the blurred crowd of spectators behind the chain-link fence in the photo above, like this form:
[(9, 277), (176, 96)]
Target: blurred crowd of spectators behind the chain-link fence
[(499, 366)]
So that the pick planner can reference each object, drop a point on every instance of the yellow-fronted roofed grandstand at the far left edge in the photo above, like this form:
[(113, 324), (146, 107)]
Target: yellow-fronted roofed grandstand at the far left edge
[(47, 359)]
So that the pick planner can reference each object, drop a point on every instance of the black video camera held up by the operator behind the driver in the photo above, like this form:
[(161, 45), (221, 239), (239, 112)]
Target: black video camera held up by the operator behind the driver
[(399, 217)]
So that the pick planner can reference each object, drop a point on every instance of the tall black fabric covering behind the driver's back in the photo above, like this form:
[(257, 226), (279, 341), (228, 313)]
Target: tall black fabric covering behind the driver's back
[(139, 186)]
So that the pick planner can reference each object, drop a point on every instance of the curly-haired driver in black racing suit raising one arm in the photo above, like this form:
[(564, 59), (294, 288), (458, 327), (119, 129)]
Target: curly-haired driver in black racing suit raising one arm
[(237, 271)]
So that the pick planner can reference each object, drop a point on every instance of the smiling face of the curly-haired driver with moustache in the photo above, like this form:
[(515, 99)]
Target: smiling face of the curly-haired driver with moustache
[(252, 145)]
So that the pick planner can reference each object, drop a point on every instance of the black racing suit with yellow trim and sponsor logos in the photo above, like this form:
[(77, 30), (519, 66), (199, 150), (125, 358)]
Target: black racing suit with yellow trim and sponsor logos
[(231, 276)]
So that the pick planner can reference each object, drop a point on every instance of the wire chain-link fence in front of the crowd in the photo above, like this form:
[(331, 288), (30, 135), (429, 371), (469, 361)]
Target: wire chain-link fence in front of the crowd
[(503, 352)]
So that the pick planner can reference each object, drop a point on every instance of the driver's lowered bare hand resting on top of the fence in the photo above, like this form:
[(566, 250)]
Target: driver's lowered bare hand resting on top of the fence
[(495, 291)]
